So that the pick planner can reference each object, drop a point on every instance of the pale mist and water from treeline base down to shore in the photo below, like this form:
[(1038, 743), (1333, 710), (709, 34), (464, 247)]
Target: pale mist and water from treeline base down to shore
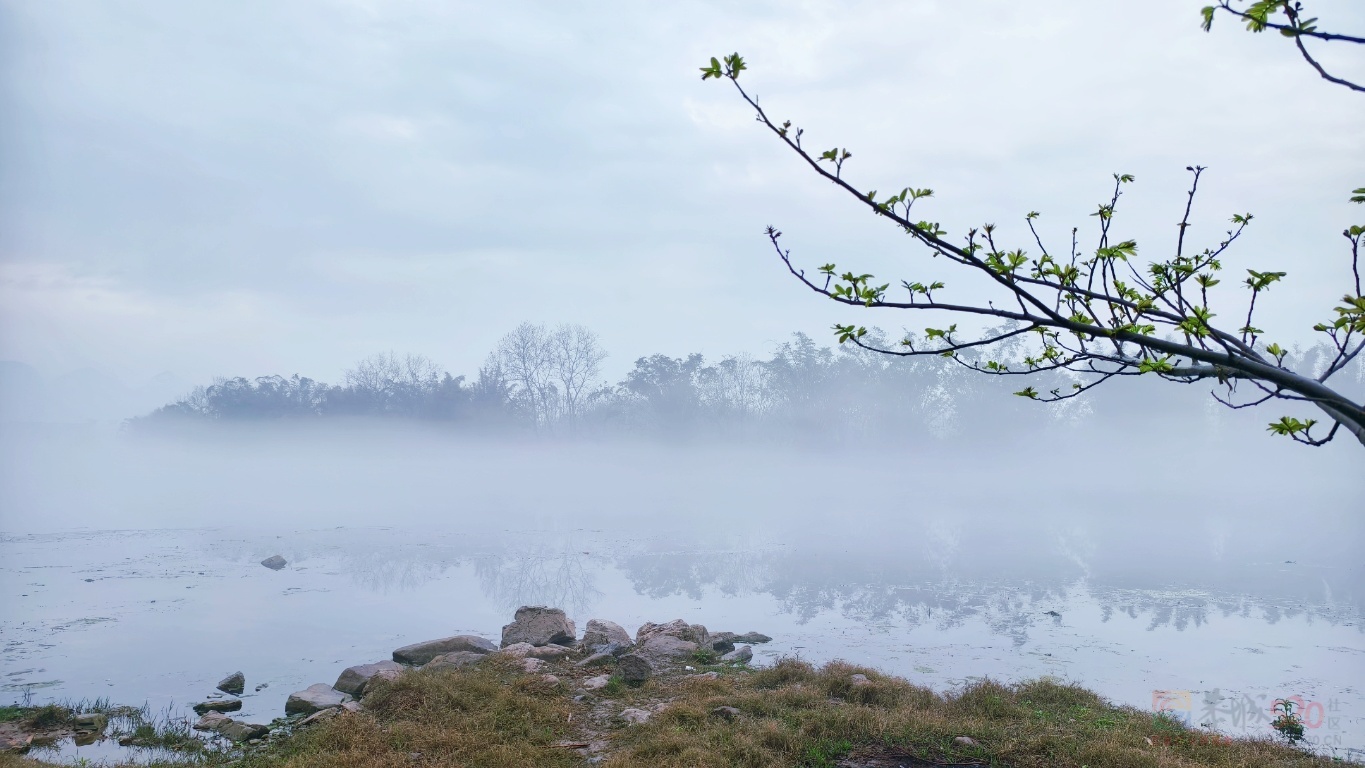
[(132, 561)]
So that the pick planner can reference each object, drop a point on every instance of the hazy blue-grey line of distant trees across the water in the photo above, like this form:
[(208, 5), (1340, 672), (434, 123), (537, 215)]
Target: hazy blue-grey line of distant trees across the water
[(545, 380)]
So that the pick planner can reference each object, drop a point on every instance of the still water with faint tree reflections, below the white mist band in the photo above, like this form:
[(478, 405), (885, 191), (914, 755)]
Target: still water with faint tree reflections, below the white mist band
[(162, 616)]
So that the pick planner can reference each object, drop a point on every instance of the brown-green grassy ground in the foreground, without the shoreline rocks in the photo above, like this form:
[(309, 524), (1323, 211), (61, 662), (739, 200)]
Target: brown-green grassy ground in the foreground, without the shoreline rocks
[(790, 715)]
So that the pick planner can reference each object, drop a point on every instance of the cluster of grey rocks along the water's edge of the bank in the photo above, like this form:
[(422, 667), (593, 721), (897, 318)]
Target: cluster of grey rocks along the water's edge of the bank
[(537, 635)]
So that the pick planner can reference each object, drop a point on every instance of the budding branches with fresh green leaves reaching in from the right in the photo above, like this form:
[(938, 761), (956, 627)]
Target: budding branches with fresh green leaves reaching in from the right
[(1094, 314)]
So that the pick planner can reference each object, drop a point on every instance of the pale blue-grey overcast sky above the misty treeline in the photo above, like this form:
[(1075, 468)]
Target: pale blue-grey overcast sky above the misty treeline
[(256, 188)]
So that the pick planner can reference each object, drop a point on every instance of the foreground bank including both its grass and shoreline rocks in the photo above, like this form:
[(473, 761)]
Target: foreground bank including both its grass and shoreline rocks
[(674, 696)]
